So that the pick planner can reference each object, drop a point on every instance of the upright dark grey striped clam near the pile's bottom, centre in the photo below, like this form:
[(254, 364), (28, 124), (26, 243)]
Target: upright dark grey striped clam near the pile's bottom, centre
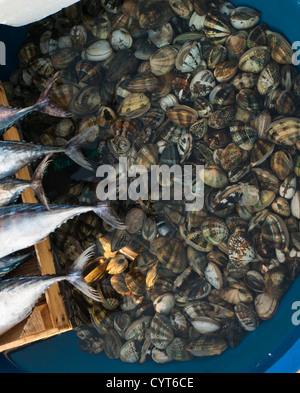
[(161, 332)]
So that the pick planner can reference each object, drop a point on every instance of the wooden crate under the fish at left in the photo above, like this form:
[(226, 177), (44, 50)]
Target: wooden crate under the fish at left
[(50, 316)]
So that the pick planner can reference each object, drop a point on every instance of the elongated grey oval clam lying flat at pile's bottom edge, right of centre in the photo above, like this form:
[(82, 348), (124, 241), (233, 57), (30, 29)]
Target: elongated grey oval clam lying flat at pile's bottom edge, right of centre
[(207, 346)]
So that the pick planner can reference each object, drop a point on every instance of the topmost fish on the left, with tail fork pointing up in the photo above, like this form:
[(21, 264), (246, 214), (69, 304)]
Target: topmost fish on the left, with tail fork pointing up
[(10, 116)]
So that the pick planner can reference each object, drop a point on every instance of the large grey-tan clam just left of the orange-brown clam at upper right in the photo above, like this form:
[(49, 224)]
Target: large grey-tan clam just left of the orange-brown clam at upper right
[(255, 59)]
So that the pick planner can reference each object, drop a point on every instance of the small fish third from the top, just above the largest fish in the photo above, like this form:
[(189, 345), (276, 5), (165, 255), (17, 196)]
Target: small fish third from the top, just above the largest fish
[(11, 188)]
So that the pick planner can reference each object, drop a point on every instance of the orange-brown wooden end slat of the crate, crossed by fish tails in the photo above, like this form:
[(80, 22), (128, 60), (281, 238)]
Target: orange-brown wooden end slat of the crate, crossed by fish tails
[(57, 310)]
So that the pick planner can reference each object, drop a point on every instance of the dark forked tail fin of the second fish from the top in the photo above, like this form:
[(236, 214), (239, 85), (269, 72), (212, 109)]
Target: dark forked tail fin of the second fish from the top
[(72, 148)]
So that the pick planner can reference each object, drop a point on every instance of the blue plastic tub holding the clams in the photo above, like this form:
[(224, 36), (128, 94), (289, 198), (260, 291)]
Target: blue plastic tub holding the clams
[(273, 347)]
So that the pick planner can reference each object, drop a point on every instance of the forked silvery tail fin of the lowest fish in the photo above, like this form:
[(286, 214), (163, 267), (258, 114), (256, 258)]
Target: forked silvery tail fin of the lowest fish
[(75, 275)]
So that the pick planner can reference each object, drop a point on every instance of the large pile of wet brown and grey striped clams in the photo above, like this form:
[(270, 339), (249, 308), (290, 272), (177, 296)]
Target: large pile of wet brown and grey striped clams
[(186, 82)]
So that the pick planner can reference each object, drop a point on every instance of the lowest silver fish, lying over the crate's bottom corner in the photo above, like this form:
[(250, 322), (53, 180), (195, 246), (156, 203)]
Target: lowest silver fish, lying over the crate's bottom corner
[(18, 296)]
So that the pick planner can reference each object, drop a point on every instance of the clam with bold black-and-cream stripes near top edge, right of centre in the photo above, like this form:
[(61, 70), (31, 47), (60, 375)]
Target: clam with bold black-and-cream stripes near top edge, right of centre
[(216, 28)]
